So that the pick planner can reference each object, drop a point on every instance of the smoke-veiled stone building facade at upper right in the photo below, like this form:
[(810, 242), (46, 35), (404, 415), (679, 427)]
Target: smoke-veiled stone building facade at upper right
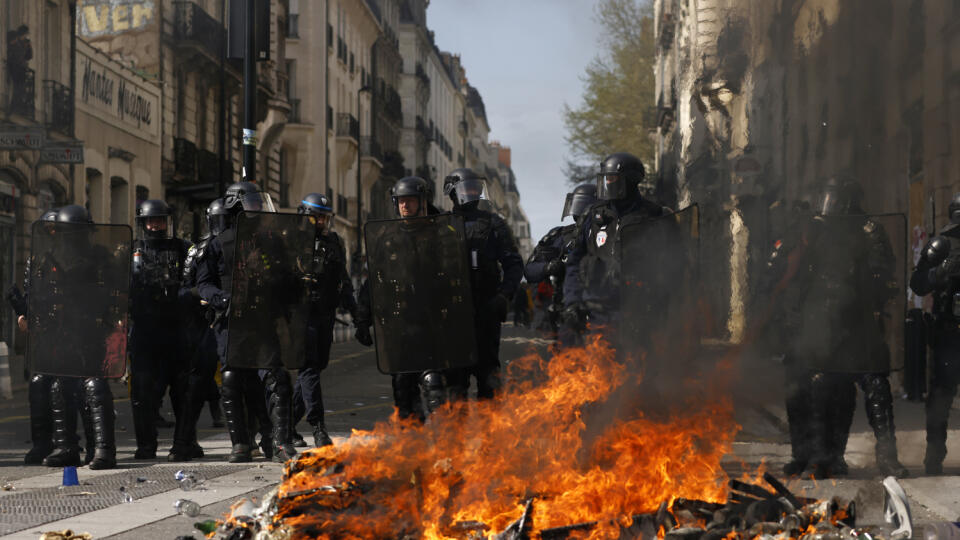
[(758, 103)]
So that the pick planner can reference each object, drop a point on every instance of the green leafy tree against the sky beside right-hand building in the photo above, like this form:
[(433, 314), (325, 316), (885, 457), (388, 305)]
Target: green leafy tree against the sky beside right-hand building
[(618, 90)]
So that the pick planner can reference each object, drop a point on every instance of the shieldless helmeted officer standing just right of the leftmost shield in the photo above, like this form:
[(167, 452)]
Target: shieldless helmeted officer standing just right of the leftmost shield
[(155, 359)]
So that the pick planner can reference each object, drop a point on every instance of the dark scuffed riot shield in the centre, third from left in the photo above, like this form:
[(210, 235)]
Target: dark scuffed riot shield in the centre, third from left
[(420, 294)]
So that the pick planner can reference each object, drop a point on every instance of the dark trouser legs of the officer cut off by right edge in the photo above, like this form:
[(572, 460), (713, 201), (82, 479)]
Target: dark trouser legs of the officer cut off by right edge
[(943, 388)]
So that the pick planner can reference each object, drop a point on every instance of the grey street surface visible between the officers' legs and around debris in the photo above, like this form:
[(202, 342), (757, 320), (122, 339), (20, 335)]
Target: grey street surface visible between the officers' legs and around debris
[(136, 499)]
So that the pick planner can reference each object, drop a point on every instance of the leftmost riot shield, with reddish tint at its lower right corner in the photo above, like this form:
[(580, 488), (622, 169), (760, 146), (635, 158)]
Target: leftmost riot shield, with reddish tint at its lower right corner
[(78, 299)]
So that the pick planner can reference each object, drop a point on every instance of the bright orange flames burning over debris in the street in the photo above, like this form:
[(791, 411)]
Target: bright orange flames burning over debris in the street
[(474, 466)]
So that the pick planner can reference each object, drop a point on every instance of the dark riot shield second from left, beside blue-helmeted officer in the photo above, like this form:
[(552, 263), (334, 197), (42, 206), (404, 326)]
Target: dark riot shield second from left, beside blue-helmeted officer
[(269, 307)]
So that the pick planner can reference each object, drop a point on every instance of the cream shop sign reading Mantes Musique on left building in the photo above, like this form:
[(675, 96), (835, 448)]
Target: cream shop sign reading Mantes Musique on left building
[(107, 91)]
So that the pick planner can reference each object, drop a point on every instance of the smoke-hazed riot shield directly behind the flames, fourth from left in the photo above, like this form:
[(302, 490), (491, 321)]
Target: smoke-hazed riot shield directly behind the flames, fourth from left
[(659, 273)]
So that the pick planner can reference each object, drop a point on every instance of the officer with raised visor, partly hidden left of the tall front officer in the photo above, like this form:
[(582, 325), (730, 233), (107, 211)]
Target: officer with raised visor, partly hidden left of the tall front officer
[(547, 259)]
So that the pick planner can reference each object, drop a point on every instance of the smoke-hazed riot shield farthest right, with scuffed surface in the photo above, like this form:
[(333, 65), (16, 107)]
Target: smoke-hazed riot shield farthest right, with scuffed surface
[(851, 295)]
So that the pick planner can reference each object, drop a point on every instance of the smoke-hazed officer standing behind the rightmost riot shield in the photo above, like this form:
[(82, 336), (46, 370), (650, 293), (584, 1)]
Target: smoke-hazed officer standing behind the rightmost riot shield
[(845, 280)]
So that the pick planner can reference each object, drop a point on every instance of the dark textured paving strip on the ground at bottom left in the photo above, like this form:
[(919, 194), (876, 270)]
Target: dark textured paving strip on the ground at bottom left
[(31, 508)]
